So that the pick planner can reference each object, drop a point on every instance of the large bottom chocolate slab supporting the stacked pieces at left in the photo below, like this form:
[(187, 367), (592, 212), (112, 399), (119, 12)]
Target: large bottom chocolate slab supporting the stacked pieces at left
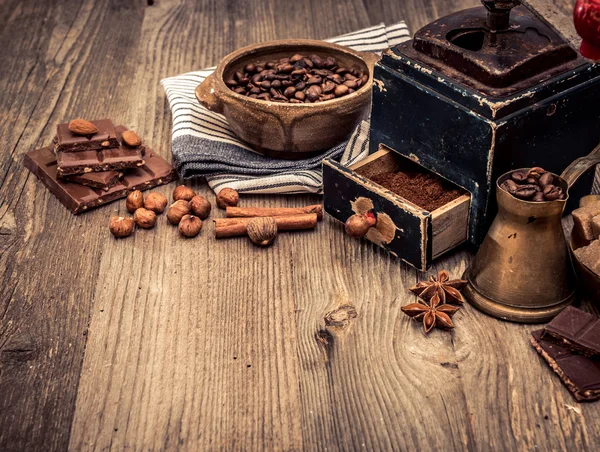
[(80, 198)]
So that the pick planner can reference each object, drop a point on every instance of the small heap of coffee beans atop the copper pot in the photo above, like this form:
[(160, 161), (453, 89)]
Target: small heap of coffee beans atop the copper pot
[(535, 185)]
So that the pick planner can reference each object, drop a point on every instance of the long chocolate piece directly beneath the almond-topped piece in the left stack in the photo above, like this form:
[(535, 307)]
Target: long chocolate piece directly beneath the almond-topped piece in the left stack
[(82, 162)]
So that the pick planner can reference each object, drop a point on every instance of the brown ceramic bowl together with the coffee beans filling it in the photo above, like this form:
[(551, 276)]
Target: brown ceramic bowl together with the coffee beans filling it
[(291, 98)]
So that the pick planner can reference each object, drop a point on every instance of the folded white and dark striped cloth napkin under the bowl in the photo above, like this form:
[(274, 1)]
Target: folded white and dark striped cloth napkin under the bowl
[(205, 146)]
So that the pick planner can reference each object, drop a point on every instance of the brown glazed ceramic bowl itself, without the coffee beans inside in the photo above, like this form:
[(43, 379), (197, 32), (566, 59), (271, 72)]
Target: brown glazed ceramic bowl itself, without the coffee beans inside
[(289, 130)]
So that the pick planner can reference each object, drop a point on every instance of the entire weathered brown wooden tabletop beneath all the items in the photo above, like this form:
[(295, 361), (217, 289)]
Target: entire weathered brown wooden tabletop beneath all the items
[(160, 343)]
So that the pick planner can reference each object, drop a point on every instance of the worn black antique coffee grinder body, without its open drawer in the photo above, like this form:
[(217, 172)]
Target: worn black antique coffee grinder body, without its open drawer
[(483, 91)]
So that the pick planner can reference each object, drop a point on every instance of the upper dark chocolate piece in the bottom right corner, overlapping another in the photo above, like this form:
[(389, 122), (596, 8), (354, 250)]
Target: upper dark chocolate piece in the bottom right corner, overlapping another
[(576, 330)]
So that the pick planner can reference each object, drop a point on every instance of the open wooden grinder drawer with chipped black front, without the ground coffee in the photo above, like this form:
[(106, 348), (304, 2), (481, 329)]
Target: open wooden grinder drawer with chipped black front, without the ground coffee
[(403, 228)]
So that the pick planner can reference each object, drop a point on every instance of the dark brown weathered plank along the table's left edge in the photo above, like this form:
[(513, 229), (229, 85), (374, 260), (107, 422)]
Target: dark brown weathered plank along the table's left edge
[(55, 59)]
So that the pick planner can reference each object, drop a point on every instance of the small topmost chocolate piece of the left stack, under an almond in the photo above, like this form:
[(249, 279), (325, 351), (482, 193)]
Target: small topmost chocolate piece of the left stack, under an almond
[(106, 137)]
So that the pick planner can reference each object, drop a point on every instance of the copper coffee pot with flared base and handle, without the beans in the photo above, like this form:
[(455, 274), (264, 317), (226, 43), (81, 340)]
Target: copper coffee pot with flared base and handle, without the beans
[(523, 271)]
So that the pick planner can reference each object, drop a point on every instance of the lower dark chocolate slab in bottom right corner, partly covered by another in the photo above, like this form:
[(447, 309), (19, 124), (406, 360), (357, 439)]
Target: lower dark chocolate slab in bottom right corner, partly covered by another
[(580, 374)]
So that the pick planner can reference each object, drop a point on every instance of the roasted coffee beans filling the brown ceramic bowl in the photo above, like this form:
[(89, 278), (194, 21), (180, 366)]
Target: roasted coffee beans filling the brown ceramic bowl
[(298, 79)]
